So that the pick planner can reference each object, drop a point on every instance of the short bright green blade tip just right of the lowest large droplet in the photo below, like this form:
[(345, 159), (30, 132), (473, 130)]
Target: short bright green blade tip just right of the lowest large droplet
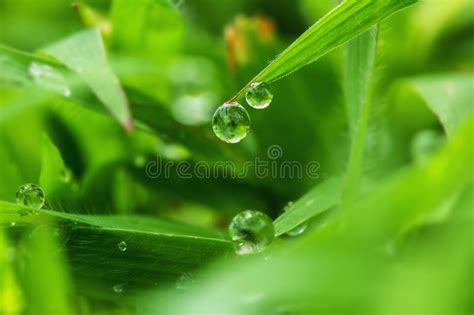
[(316, 201)]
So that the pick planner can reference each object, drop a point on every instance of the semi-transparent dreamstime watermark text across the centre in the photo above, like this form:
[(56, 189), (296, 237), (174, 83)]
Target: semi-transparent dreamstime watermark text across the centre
[(275, 168)]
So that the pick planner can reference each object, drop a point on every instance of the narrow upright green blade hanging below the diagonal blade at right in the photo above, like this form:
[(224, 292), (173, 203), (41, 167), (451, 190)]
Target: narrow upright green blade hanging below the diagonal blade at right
[(360, 59)]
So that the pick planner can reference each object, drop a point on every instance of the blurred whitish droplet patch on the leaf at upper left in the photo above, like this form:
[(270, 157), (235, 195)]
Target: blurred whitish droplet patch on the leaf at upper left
[(50, 79)]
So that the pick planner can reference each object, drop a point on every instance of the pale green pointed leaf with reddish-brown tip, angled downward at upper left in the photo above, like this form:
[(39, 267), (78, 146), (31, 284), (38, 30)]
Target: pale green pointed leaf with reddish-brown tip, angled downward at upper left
[(84, 53)]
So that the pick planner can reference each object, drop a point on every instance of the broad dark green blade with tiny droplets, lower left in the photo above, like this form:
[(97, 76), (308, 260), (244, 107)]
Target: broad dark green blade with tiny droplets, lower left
[(157, 252)]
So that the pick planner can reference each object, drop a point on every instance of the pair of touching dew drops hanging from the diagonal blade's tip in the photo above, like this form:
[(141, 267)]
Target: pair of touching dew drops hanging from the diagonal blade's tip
[(231, 122)]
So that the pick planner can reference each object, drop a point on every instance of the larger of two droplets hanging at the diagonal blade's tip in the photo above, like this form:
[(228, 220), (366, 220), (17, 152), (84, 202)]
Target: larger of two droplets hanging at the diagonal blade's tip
[(231, 122)]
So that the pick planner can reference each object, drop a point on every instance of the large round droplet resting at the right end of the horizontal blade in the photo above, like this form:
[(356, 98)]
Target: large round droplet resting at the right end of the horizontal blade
[(251, 231)]
